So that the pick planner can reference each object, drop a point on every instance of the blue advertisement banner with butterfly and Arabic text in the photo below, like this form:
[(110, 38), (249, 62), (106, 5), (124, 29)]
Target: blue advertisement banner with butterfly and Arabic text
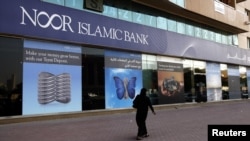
[(123, 78)]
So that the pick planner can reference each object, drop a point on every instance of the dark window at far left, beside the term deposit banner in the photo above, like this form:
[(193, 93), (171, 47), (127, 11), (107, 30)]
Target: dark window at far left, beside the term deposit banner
[(11, 56)]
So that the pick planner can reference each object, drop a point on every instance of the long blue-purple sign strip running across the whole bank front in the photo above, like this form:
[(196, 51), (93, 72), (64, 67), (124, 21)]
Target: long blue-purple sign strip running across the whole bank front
[(38, 19)]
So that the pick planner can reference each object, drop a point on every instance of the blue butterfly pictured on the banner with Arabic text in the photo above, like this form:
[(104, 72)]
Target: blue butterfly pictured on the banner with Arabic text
[(125, 88)]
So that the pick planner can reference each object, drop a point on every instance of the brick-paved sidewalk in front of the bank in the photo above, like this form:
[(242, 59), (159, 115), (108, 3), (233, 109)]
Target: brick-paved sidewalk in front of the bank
[(176, 124)]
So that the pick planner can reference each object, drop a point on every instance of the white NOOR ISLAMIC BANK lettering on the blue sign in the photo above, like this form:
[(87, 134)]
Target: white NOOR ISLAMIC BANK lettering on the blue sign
[(42, 19)]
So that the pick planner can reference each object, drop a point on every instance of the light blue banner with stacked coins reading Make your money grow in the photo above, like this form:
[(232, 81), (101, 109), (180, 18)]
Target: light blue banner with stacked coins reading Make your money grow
[(52, 80)]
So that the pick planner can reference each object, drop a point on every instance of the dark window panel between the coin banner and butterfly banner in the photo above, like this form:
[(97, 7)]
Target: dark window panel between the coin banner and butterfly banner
[(93, 93)]
